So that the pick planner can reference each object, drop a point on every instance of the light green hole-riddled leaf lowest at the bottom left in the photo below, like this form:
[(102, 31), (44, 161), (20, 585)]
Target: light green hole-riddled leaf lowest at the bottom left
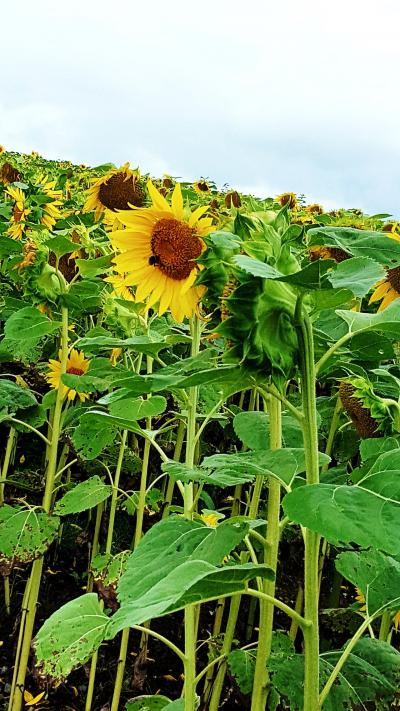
[(70, 636)]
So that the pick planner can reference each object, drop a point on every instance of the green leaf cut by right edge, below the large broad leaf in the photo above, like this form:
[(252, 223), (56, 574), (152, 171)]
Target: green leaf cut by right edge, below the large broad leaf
[(375, 574)]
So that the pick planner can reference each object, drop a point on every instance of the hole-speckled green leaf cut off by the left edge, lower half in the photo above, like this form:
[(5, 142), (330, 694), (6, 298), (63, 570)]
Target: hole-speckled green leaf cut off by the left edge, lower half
[(25, 534)]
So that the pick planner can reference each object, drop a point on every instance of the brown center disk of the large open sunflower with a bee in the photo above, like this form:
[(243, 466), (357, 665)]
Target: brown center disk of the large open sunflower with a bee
[(175, 246)]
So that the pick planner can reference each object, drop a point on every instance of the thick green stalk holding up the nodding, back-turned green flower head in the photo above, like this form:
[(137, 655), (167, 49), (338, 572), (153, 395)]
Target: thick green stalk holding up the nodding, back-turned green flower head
[(311, 539)]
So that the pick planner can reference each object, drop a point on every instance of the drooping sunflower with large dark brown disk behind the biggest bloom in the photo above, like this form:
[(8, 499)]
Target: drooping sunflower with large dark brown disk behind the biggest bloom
[(118, 189)]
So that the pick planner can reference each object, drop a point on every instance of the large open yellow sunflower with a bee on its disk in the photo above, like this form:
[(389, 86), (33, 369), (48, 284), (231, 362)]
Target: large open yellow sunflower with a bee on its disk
[(158, 251)]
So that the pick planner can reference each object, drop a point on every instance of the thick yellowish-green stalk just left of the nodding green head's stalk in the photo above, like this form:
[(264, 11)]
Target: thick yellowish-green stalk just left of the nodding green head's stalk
[(266, 620)]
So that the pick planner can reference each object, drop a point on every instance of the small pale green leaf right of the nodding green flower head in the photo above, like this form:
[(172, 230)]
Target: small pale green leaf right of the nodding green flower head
[(358, 274)]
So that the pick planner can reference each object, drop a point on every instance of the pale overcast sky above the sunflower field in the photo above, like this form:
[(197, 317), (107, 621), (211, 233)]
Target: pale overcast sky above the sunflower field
[(267, 96)]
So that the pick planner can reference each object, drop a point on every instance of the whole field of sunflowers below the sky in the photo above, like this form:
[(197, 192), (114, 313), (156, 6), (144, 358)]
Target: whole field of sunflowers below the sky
[(200, 446)]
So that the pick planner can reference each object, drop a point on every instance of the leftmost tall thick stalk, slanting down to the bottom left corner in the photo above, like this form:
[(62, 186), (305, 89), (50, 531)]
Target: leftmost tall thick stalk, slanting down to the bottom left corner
[(37, 566)]
